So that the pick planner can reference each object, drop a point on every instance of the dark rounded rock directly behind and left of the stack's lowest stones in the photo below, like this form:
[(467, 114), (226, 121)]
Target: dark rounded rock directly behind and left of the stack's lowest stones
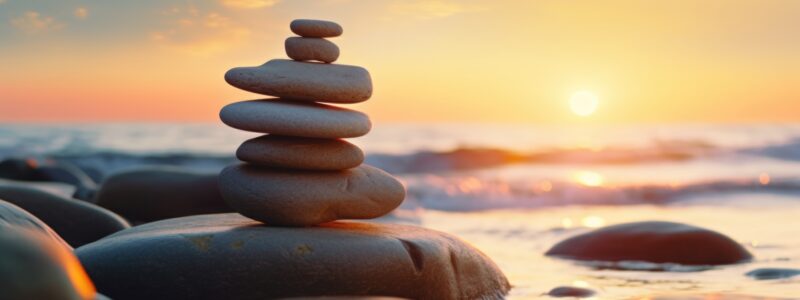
[(152, 194)]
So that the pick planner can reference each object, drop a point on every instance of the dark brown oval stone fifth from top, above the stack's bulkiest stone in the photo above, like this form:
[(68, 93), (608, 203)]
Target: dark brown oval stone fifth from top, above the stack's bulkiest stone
[(300, 153)]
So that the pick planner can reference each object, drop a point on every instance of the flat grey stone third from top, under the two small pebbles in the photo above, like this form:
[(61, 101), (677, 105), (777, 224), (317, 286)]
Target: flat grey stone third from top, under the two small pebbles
[(304, 81)]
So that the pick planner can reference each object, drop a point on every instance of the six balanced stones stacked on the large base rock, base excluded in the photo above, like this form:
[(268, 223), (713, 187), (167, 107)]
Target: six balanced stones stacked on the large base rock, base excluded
[(301, 172)]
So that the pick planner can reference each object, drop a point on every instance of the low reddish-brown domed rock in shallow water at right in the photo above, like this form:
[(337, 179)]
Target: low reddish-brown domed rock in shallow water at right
[(656, 242)]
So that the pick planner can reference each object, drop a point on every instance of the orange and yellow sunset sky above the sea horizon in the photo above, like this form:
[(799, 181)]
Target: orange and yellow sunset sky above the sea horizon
[(430, 61)]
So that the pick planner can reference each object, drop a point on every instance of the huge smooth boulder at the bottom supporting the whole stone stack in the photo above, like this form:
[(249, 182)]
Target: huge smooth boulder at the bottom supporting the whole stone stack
[(228, 256)]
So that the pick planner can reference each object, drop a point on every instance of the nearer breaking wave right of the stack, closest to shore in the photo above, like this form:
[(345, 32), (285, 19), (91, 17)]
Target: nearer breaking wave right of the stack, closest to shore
[(468, 193)]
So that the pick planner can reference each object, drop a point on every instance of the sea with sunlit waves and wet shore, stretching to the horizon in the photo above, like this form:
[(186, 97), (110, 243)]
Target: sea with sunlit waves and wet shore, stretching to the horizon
[(514, 190)]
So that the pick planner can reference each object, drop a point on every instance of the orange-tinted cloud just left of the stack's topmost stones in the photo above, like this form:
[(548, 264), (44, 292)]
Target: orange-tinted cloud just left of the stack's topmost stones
[(192, 31)]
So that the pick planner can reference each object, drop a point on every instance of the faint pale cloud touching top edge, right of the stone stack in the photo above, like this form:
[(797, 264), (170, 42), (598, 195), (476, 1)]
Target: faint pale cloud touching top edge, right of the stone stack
[(430, 9)]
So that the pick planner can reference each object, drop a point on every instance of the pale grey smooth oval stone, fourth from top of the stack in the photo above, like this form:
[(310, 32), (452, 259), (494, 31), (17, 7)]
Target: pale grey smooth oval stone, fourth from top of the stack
[(284, 117)]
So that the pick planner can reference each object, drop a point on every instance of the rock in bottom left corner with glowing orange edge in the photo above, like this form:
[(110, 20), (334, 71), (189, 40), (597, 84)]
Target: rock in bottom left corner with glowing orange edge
[(33, 266)]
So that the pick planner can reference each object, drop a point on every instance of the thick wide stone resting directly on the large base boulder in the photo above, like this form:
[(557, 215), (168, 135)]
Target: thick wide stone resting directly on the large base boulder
[(305, 198)]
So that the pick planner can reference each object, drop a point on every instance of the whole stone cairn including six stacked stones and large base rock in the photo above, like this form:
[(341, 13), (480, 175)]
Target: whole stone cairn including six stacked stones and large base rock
[(295, 183)]
